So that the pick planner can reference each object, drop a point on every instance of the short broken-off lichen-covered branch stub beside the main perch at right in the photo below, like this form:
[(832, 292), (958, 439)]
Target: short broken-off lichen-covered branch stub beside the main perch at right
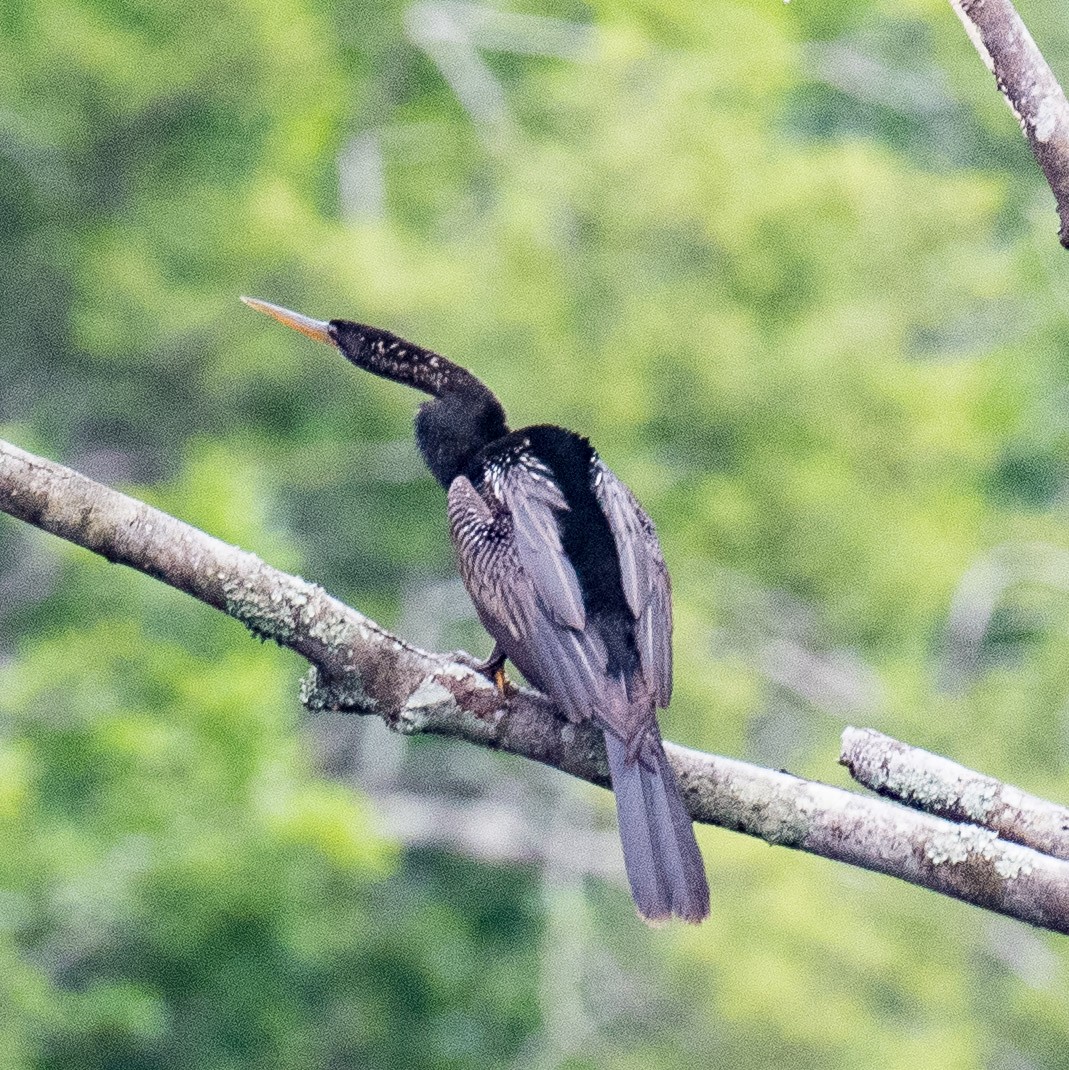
[(938, 786)]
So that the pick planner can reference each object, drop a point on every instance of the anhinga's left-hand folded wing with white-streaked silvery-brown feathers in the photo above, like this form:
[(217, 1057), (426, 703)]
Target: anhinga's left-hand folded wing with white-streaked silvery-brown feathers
[(528, 595)]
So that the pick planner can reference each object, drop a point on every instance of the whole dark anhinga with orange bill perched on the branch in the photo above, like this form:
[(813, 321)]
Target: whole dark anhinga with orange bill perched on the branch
[(568, 577)]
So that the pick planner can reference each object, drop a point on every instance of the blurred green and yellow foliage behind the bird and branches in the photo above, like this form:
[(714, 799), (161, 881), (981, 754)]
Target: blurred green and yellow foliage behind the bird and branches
[(793, 270)]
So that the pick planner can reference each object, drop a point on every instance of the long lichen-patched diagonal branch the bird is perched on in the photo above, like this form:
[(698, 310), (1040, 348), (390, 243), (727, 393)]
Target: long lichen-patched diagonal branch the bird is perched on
[(360, 667)]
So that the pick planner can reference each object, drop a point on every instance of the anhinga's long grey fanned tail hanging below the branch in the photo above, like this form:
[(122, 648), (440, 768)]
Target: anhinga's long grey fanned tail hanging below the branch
[(661, 854)]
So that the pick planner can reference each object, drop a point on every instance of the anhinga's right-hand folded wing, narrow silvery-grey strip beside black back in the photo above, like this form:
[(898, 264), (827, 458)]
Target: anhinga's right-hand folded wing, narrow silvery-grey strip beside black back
[(645, 577)]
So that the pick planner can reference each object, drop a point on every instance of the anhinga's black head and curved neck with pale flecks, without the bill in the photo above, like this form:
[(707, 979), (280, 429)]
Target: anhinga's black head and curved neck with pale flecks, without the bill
[(465, 417)]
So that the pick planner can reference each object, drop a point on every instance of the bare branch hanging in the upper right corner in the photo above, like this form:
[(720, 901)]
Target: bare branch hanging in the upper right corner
[(1030, 87)]
